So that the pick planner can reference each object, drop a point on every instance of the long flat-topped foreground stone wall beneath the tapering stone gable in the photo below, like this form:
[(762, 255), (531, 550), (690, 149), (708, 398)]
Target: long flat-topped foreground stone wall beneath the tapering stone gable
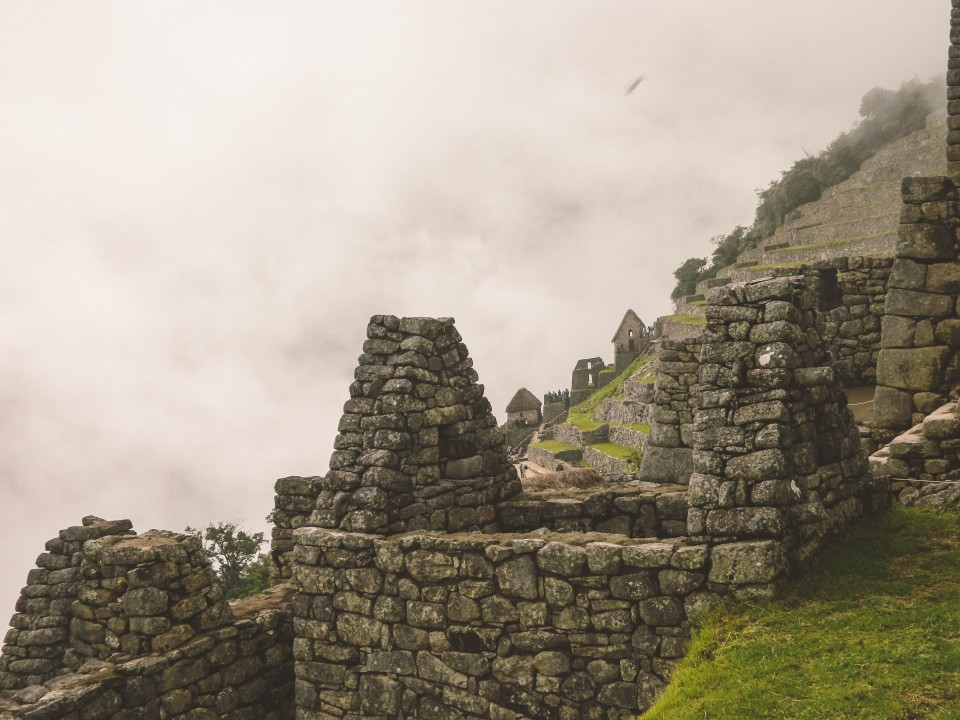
[(491, 627)]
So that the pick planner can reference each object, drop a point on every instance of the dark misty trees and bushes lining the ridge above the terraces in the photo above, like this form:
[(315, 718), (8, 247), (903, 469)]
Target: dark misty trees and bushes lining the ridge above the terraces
[(886, 116)]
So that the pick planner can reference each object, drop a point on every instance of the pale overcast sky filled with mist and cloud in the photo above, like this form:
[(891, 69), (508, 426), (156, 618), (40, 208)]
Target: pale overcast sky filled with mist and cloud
[(202, 204)]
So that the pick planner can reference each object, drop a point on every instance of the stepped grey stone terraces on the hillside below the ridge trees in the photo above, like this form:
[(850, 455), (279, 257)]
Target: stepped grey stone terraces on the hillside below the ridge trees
[(858, 217)]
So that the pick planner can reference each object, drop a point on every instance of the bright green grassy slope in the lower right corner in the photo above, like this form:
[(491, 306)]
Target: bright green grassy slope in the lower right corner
[(873, 631)]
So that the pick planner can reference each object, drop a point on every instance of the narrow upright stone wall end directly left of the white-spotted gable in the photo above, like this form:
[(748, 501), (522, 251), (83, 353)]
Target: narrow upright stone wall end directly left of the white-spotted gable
[(669, 453)]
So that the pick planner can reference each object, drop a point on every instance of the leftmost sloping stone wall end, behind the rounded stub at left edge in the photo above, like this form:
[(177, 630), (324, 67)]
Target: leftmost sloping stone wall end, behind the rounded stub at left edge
[(40, 634)]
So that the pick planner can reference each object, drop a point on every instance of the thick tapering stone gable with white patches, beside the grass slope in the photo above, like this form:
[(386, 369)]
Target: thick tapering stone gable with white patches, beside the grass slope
[(778, 456)]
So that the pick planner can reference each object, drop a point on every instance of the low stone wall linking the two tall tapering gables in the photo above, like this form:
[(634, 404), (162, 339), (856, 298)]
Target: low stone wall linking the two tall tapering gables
[(636, 510)]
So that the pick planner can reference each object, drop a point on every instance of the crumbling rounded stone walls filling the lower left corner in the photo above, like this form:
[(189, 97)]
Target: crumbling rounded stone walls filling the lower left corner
[(137, 627)]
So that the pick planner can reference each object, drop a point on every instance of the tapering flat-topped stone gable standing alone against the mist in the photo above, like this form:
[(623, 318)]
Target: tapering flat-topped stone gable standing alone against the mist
[(419, 447)]
